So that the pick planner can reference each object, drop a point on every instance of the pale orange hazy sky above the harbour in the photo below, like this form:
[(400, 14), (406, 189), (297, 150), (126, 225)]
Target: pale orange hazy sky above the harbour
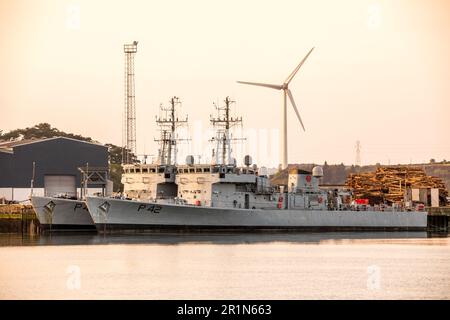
[(379, 74)]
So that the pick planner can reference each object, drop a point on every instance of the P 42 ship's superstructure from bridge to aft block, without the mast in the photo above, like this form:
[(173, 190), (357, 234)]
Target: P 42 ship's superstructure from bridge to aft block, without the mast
[(231, 186)]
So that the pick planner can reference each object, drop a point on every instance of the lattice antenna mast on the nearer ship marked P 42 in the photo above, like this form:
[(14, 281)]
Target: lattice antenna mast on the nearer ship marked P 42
[(222, 125)]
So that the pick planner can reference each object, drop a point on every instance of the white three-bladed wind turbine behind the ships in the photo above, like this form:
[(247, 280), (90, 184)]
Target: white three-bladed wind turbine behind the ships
[(286, 92)]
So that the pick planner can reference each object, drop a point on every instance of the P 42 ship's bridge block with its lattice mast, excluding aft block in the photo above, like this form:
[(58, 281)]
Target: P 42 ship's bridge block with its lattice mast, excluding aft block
[(222, 183)]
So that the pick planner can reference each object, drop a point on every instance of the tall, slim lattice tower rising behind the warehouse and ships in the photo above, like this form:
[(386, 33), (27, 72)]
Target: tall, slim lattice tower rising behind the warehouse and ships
[(129, 127)]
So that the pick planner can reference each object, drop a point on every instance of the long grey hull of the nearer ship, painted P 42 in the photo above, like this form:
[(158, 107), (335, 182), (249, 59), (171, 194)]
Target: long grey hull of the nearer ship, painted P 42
[(111, 215)]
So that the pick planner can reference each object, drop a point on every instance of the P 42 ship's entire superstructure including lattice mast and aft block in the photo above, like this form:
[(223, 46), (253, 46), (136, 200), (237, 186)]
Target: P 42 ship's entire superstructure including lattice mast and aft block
[(223, 184)]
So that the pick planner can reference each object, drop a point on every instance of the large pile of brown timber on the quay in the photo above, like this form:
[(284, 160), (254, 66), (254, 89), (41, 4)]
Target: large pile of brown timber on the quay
[(389, 183)]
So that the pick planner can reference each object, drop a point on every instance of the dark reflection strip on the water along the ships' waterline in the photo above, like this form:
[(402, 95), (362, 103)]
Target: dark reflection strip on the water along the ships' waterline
[(175, 238)]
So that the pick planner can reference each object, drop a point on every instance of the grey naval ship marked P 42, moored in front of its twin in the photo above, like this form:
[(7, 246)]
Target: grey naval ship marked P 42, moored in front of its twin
[(224, 196)]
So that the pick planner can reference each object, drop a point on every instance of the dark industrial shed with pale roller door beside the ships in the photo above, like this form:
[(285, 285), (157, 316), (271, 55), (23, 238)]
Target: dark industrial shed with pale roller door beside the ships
[(51, 166)]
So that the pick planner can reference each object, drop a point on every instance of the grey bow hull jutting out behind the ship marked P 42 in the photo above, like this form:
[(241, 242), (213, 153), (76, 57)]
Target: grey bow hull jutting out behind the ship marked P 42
[(62, 214)]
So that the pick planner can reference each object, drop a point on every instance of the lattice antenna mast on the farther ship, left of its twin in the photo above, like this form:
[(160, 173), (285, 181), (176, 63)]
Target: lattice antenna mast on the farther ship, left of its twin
[(169, 122)]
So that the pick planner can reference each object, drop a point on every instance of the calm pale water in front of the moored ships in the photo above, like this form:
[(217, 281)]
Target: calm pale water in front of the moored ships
[(226, 266)]
